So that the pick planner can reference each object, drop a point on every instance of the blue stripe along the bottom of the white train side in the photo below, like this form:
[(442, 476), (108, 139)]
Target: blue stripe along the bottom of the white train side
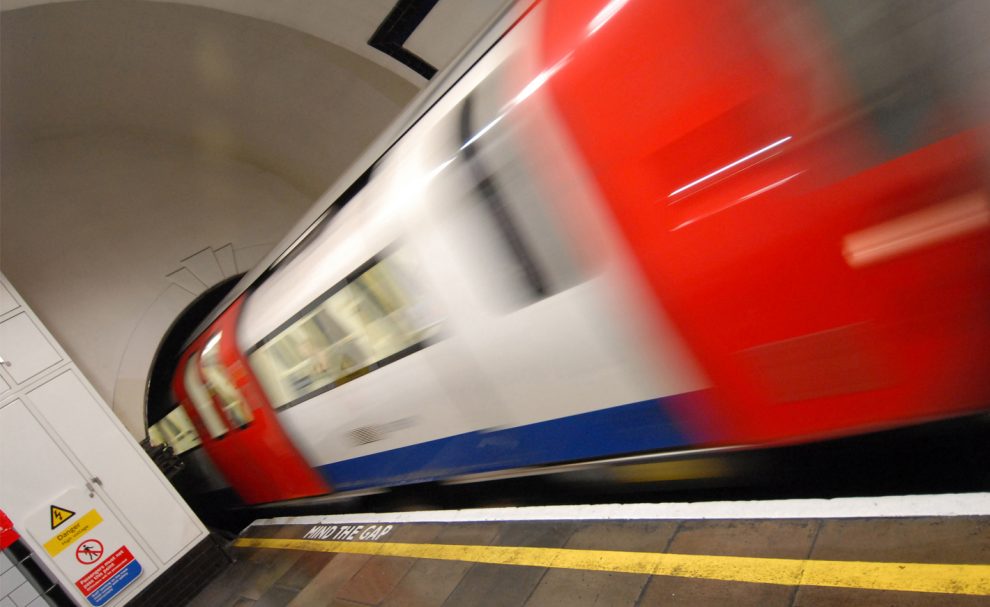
[(636, 427)]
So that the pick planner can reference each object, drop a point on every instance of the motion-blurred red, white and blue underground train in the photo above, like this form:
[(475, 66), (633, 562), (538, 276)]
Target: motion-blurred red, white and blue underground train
[(630, 228)]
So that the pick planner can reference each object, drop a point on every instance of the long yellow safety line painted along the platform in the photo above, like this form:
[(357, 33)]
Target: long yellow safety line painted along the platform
[(910, 577)]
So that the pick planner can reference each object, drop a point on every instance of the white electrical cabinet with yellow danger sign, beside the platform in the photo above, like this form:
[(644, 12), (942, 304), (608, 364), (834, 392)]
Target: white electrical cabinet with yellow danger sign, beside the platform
[(82, 493)]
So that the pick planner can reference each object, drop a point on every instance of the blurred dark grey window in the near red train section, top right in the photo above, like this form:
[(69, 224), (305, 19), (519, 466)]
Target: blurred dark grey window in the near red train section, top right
[(913, 83)]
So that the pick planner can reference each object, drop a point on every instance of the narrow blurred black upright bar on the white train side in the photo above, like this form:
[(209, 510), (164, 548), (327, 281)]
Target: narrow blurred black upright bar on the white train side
[(494, 203)]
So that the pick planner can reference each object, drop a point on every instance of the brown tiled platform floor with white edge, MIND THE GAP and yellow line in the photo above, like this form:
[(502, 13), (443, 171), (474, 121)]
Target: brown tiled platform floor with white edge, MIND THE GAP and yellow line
[(448, 559)]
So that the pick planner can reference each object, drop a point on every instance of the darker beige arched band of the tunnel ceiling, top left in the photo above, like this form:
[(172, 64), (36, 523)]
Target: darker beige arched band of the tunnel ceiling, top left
[(216, 81)]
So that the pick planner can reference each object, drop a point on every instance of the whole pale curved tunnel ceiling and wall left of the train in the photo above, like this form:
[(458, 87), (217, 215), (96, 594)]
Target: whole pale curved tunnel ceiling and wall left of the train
[(138, 136)]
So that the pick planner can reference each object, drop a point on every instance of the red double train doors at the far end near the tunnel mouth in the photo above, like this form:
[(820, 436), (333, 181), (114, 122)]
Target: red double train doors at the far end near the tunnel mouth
[(238, 427)]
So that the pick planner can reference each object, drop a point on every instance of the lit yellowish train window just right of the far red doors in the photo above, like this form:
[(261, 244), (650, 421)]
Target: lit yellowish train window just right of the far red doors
[(368, 320)]
